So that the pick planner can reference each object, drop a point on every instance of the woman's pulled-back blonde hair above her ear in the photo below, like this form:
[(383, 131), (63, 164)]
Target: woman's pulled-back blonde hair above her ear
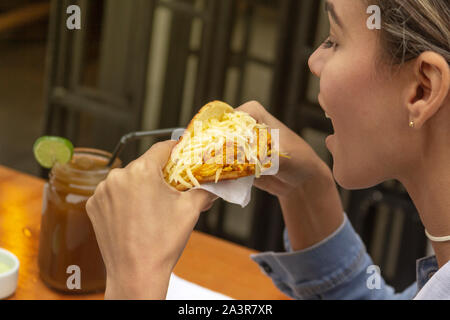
[(411, 27)]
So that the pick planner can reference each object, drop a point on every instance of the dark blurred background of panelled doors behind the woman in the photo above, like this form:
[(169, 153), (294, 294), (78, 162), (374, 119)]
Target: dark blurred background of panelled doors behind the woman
[(150, 64)]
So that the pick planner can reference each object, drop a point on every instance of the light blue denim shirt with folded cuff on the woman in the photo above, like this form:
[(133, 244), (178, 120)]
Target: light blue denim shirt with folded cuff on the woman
[(339, 267)]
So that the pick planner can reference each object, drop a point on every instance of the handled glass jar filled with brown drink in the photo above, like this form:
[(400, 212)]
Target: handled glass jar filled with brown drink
[(69, 256)]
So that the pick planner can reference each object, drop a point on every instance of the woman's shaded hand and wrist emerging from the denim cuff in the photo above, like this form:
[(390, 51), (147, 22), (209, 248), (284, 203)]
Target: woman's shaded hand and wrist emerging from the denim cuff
[(311, 204)]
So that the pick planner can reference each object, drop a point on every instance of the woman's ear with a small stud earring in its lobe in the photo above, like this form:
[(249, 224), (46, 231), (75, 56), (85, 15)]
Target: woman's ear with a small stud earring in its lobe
[(429, 89)]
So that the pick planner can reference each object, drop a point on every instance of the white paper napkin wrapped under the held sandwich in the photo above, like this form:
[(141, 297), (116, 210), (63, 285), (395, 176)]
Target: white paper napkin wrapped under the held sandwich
[(237, 191)]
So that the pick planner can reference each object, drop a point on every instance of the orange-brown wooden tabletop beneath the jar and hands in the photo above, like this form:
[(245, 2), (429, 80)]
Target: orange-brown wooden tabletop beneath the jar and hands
[(208, 261)]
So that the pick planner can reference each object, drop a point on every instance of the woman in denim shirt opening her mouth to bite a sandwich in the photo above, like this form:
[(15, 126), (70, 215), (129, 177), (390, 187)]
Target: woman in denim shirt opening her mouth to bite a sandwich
[(387, 94)]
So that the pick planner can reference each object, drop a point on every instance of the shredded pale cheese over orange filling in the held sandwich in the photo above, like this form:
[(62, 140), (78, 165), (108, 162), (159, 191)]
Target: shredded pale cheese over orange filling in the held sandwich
[(207, 153)]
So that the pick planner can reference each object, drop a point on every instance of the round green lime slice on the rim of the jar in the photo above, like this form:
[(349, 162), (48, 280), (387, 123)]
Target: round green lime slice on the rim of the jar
[(49, 150)]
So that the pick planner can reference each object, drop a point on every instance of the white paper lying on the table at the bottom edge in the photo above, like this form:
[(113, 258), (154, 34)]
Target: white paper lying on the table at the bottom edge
[(180, 289)]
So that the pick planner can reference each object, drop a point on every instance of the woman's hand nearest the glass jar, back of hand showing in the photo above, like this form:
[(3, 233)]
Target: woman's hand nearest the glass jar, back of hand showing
[(142, 225)]
